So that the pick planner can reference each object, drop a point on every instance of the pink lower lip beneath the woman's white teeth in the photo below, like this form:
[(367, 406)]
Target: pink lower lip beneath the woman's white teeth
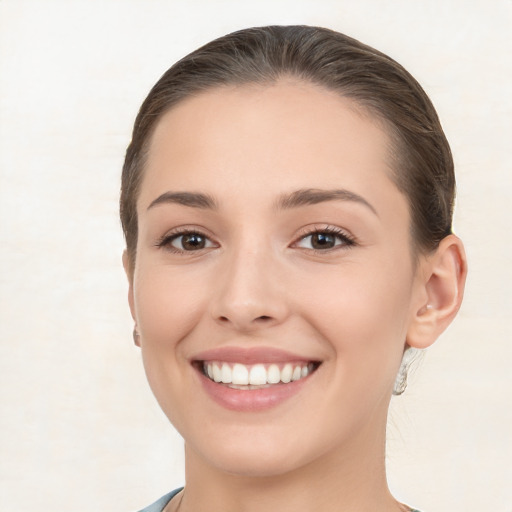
[(251, 400)]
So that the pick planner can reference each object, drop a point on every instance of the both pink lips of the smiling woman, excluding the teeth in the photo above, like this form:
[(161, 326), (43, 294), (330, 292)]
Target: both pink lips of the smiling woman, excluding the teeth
[(250, 400)]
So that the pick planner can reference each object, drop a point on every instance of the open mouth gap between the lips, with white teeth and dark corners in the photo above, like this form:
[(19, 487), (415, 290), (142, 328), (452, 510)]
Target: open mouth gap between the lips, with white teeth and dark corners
[(255, 376)]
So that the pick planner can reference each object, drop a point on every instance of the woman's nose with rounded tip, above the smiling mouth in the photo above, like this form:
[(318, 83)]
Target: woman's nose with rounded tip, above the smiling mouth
[(250, 293)]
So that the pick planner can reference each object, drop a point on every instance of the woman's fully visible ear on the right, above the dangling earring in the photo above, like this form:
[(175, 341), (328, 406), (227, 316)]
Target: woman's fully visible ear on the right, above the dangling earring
[(441, 287)]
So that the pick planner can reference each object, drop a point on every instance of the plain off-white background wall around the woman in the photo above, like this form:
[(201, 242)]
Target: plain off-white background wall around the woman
[(80, 429)]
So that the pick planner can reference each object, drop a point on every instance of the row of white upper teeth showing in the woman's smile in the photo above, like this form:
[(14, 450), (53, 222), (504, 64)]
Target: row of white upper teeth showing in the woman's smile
[(257, 374)]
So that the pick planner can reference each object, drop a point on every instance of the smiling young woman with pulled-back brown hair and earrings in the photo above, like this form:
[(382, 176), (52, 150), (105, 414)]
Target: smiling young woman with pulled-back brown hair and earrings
[(287, 201)]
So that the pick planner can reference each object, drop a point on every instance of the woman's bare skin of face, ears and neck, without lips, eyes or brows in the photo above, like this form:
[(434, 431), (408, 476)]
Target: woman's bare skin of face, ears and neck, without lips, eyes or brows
[(258, 281)]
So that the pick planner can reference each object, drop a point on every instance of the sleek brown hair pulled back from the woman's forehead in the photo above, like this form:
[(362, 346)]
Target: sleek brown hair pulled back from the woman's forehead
[(423, 165)]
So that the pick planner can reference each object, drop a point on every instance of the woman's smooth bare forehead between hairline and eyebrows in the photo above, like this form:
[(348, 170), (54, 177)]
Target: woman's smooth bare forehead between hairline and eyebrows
[(267, 137)]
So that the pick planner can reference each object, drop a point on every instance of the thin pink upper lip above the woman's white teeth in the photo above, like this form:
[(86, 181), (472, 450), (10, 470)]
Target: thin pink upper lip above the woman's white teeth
[(250, 355)]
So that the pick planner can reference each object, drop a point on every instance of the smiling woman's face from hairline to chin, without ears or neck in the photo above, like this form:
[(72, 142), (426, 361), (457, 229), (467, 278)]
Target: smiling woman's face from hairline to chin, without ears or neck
[(272, 245)]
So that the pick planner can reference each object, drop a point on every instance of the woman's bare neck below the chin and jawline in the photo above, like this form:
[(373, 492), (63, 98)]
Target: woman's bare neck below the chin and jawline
[(348, 479)]
